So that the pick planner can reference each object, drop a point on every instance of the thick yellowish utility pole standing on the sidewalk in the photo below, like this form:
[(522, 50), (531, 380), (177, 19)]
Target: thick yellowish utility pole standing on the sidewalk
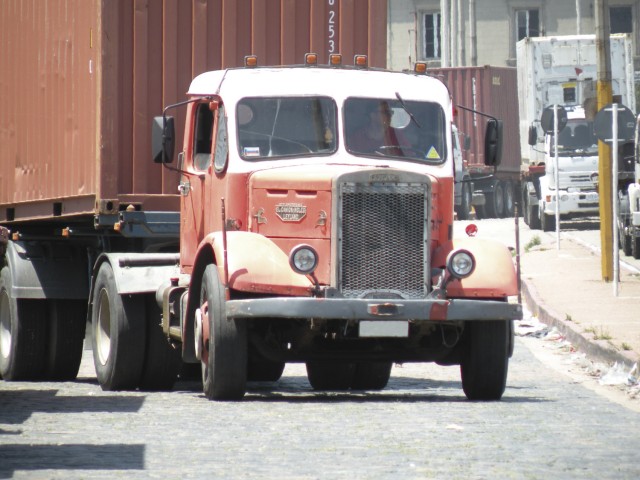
[(604, 97)]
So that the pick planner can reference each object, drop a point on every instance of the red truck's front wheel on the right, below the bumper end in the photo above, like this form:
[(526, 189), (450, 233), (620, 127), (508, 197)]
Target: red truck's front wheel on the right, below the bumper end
[(485, 361)]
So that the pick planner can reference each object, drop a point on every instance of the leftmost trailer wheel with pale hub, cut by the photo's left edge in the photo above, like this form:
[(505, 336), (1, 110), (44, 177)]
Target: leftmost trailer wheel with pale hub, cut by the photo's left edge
[(22, 334)]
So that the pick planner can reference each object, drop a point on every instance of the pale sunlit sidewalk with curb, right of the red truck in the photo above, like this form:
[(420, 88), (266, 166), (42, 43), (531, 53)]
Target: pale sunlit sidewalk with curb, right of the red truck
[(564, 288)]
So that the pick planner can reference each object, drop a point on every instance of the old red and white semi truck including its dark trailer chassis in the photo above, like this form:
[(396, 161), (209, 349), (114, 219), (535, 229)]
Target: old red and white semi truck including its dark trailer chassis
[(314, 226)]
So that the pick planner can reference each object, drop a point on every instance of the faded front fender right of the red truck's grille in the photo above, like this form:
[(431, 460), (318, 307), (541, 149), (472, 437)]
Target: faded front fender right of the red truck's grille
[(494, 275)]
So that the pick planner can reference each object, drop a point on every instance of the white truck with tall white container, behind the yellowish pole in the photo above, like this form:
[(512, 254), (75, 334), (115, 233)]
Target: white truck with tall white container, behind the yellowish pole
[(562, 70)]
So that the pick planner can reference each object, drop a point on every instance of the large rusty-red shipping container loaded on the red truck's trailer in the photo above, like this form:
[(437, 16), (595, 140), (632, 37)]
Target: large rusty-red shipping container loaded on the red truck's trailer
[(80, 81)]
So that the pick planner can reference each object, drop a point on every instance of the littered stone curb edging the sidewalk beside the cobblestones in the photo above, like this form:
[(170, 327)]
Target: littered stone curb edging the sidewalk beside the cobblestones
[(599, 350)]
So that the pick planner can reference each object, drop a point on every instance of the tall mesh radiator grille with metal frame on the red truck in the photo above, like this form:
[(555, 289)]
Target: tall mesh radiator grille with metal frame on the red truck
[(384, 240)]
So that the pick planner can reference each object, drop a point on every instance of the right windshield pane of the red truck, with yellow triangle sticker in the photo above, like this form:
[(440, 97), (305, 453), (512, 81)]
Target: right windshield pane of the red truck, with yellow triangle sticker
[(395, 128)]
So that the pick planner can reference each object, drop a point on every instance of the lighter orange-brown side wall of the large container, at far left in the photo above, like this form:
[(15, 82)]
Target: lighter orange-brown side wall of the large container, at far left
[(48, 89)]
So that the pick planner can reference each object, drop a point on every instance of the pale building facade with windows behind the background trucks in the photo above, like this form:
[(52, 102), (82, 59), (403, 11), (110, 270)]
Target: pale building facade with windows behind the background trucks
[(485, 32)]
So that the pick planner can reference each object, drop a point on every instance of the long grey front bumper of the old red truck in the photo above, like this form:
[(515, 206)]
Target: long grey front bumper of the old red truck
[(374, 309)]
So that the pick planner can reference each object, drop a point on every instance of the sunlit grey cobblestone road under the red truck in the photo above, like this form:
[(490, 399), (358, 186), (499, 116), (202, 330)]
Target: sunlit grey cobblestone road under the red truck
[(421, 426)]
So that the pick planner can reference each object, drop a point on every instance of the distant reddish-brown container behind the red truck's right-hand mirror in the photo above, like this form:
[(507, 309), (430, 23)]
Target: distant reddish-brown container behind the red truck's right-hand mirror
[(491, 90)]
